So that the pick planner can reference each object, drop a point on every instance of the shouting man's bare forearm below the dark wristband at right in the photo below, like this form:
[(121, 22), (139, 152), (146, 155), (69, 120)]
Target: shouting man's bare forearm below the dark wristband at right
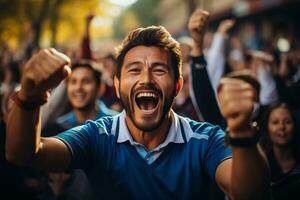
[(250, 174)]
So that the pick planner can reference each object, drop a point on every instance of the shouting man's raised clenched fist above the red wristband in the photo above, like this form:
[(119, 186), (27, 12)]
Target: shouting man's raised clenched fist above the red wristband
[(44, 71)]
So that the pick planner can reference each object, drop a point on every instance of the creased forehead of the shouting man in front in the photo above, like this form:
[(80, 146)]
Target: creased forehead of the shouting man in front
[(147, 54)]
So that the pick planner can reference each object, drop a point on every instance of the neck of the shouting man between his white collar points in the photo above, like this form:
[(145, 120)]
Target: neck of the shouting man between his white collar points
[(153, 138)]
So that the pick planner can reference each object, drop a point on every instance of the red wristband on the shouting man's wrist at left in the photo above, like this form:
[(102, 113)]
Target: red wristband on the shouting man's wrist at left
[(27, 105)]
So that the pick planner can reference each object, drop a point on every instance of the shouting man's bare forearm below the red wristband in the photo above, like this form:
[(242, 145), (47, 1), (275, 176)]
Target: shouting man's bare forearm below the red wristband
[(22, 135)]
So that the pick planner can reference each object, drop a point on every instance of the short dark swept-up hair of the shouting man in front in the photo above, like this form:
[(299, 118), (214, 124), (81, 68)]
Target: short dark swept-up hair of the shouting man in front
[(151, 36)]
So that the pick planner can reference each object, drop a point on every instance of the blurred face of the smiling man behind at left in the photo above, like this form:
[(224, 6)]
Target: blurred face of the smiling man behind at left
[(82, 88)]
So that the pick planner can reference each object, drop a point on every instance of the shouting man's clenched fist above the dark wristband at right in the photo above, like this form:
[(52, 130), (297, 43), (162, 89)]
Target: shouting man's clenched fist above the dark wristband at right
[(237, 98)]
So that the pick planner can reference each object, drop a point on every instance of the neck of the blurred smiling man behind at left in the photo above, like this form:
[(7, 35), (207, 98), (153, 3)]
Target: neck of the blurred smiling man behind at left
[(88, 113)]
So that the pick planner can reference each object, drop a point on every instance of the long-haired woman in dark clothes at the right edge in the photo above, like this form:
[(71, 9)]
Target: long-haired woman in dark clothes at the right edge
[(280, 140)]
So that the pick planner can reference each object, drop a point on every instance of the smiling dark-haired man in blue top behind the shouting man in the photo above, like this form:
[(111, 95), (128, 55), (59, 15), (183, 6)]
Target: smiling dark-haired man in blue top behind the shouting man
[(82, 92)]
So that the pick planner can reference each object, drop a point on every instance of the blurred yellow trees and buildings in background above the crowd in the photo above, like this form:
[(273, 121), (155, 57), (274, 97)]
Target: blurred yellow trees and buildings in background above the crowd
[(47, 23)]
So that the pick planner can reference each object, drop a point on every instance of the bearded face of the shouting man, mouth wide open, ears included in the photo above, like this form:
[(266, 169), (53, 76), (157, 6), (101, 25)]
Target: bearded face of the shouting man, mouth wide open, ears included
[(147, 86)]
